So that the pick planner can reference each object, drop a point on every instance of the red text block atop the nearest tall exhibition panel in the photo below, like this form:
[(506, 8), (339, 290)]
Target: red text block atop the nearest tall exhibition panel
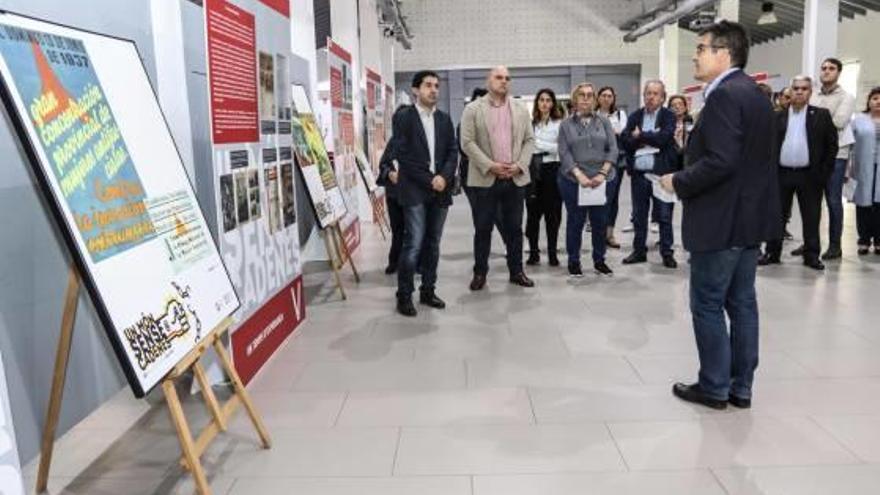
[(232, 72)]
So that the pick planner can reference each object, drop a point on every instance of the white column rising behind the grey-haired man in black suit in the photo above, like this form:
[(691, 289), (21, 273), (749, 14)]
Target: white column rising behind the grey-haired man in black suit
[(820, 34)]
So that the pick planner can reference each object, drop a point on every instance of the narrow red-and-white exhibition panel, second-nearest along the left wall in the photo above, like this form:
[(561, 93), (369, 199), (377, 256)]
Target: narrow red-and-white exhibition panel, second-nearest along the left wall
[(339, 64)]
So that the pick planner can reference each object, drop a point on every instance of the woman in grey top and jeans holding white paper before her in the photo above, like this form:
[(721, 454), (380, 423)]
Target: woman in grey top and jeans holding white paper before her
[(587, 152)]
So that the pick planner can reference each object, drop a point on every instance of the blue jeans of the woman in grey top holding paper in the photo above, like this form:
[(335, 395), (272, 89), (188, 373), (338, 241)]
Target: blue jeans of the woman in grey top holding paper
[(577, 217)]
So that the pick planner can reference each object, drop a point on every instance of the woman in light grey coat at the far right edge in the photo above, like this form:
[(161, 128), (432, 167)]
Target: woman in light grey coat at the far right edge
[(866, 161)]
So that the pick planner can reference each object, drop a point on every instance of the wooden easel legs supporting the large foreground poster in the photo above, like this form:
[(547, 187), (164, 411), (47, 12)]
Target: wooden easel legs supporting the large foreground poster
[(192, 450)]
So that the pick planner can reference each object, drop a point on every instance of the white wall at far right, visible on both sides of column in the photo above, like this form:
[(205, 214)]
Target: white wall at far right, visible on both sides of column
[(857, 40)]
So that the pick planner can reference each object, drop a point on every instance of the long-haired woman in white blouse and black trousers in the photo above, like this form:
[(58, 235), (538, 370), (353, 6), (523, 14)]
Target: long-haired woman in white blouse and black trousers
[(543, 198)]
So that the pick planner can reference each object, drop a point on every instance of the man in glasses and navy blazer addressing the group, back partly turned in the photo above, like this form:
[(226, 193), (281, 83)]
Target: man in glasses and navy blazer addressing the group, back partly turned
[(730, 195)]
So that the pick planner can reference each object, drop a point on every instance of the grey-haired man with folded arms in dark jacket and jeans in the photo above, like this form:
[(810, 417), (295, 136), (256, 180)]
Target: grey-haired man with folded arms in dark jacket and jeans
[(649, 142)]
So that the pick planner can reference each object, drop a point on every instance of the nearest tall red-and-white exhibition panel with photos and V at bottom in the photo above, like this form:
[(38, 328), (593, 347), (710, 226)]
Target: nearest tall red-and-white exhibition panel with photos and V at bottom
[(248, 46)]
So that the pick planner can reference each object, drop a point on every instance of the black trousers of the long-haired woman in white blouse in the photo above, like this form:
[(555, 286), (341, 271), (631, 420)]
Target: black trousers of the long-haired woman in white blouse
[(545, 202)]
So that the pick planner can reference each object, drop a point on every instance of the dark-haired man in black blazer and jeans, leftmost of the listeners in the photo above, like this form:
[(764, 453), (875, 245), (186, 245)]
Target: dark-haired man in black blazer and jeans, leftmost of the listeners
[(423, 144)]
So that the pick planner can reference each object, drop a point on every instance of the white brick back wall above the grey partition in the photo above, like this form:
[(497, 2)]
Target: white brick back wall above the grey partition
[(456, 34)]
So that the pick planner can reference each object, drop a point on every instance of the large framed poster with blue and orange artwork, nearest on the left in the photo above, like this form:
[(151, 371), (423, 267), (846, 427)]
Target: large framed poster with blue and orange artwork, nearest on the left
[(90, 124)]
